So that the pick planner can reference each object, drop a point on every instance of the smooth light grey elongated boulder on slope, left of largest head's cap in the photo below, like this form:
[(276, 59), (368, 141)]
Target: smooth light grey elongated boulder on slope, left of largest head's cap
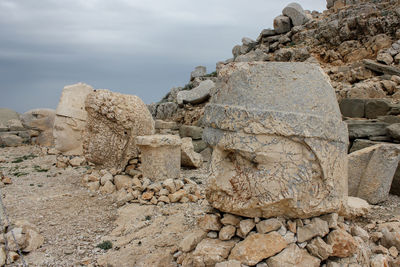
[(197, 95)]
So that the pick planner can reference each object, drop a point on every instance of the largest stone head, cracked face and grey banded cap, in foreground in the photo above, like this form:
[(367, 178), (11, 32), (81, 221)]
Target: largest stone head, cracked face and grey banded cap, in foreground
[(280, 146)]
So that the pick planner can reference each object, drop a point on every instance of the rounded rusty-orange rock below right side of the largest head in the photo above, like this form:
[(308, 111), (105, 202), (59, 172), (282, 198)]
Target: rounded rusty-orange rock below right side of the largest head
[(343, 244)]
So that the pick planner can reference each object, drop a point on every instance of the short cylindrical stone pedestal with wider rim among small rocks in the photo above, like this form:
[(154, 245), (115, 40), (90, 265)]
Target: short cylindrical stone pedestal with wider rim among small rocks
[(161, 156)]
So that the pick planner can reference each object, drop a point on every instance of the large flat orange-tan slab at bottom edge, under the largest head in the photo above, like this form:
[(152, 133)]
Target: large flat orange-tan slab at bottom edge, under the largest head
[(257, 247)]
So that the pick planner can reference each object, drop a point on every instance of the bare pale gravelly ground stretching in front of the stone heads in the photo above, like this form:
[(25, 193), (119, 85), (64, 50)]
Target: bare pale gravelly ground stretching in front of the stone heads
[(74, 220)]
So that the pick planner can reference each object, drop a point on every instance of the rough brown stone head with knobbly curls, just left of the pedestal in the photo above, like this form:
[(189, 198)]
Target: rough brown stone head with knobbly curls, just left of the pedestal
[(114, 120)]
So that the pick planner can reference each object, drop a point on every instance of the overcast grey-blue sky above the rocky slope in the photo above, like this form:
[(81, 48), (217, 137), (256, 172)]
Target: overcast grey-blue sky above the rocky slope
[(135, 47)]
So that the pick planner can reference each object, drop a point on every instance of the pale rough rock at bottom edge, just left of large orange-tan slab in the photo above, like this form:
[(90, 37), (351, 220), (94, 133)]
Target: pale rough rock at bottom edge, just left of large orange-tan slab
[(212, 251)]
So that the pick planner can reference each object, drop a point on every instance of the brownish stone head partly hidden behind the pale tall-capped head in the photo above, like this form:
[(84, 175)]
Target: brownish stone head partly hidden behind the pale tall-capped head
[(41, 120)]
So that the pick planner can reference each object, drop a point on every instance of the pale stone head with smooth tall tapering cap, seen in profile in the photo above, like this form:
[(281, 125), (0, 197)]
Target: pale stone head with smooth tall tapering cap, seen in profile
[(70, 119)]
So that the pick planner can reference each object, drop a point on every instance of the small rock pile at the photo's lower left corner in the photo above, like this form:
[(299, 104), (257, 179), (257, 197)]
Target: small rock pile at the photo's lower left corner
[(27, 237)]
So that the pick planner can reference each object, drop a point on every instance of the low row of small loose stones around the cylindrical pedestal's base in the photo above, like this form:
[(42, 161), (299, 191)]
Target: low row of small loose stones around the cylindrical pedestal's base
[(139, 189)]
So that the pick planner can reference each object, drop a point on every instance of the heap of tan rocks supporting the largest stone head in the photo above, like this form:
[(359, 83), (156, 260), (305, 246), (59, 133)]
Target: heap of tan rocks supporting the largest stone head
[(230, 240)]
